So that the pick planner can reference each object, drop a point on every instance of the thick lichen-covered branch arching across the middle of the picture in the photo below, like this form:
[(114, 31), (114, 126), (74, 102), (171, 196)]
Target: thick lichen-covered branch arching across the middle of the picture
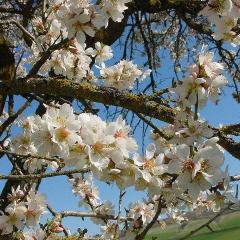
[(109, 96)]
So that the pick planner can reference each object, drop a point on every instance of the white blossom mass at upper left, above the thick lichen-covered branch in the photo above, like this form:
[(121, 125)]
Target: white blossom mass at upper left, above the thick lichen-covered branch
[(73, 22)]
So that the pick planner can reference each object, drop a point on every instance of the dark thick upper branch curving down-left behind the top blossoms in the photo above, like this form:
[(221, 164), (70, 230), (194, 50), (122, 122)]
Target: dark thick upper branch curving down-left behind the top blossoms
[(106, 35)]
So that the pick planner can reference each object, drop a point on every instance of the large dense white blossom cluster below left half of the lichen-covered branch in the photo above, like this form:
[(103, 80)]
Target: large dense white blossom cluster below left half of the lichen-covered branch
[(81, 140)]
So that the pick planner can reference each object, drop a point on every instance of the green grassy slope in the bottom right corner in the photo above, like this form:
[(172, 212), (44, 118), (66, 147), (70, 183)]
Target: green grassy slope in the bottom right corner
[(227, 228)]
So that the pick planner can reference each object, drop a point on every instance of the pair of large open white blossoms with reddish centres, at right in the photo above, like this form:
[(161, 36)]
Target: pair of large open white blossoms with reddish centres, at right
[(197, 173)]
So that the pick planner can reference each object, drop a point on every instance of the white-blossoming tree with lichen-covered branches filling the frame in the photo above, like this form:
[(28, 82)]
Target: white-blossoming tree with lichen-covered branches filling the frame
[(62, 54)]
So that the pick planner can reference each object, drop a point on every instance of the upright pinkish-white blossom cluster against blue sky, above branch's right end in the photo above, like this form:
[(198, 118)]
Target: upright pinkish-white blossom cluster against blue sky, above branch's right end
[(205, 80)]
